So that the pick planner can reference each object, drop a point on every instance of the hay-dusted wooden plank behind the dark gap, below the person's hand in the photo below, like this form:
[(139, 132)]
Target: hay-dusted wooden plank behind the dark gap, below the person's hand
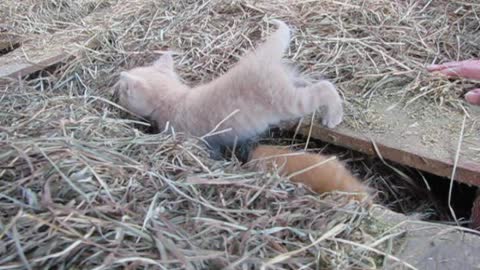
[(417, 136)]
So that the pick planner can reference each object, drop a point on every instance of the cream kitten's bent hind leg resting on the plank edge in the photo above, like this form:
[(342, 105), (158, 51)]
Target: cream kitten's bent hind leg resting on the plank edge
[(321, 94)]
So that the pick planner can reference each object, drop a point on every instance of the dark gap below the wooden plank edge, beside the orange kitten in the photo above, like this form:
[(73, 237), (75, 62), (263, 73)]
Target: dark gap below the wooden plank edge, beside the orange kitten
[(422, 194)]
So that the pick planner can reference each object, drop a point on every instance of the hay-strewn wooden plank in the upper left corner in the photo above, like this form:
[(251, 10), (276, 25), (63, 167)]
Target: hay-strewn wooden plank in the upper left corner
[(40, 52)]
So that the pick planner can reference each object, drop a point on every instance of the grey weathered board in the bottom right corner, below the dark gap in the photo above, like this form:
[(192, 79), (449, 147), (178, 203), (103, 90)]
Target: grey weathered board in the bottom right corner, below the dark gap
[(430, 246)]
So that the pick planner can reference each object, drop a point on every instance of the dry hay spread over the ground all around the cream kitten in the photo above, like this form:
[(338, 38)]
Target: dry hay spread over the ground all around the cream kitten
[(83, 187)]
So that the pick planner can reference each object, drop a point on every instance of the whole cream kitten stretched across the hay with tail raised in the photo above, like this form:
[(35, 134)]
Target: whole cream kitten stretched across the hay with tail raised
[(259, 91)]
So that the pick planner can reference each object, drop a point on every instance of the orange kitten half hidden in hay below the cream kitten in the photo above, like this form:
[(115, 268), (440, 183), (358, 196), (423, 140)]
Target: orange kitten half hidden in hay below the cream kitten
[(319, 172)]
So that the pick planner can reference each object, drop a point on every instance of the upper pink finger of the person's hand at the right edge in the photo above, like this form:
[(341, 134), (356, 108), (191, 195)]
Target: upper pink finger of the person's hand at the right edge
[(469, 69)]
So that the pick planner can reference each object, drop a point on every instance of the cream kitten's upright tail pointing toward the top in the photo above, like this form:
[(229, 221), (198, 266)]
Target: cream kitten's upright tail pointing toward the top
[(277, 43)]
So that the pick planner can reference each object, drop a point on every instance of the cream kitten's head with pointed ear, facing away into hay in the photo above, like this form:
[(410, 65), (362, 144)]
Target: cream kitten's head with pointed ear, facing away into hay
[(142, 89)]
